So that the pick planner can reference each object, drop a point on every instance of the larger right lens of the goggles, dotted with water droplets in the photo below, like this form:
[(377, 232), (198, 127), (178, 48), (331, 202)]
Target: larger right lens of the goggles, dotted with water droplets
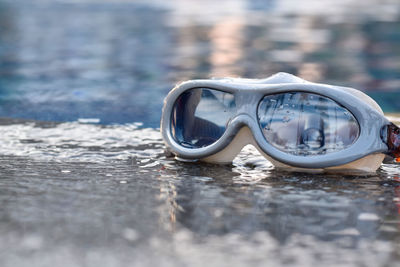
[(306, 124)]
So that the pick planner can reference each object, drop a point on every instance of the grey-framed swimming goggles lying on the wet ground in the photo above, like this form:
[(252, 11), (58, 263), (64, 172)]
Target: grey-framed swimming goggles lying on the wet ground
[(292, 121)]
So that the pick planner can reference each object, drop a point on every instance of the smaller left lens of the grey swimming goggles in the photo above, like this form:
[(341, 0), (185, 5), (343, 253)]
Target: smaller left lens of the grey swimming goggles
[(199, 116)]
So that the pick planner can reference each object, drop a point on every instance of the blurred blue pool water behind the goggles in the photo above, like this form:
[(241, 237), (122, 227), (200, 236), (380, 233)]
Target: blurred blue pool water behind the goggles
[(64, 60)]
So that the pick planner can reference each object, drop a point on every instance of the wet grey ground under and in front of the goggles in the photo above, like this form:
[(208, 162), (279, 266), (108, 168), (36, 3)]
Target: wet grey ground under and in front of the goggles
[(93, 200)]
